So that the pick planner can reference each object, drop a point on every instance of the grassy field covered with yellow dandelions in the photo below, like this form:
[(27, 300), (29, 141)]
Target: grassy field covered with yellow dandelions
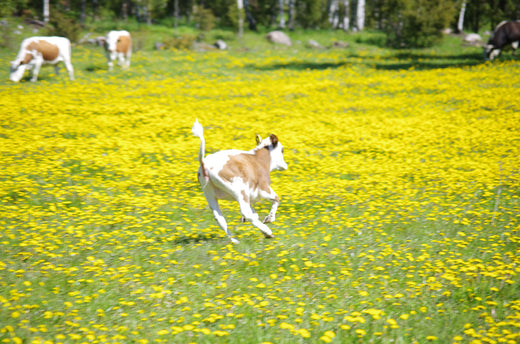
[(399, 216)]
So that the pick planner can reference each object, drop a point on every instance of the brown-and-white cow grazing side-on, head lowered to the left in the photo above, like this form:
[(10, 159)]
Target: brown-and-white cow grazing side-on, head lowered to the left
[(36, 51)]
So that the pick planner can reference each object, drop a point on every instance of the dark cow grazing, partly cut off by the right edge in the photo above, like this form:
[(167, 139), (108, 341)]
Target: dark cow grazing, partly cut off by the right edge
[(505, 33)]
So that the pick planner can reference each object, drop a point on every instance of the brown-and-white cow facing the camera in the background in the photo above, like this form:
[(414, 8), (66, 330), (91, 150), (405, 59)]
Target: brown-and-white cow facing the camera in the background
[(118, 45)]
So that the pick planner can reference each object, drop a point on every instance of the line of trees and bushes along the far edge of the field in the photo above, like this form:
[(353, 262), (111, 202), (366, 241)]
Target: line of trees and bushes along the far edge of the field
[(411, 23)]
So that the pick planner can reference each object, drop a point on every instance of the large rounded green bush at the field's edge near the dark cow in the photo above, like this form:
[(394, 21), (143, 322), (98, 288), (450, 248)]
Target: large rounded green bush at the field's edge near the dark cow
[(417, 23)]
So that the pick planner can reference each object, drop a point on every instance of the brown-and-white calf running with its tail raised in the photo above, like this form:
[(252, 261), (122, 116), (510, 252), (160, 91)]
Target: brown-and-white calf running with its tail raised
[(242, 176)]
